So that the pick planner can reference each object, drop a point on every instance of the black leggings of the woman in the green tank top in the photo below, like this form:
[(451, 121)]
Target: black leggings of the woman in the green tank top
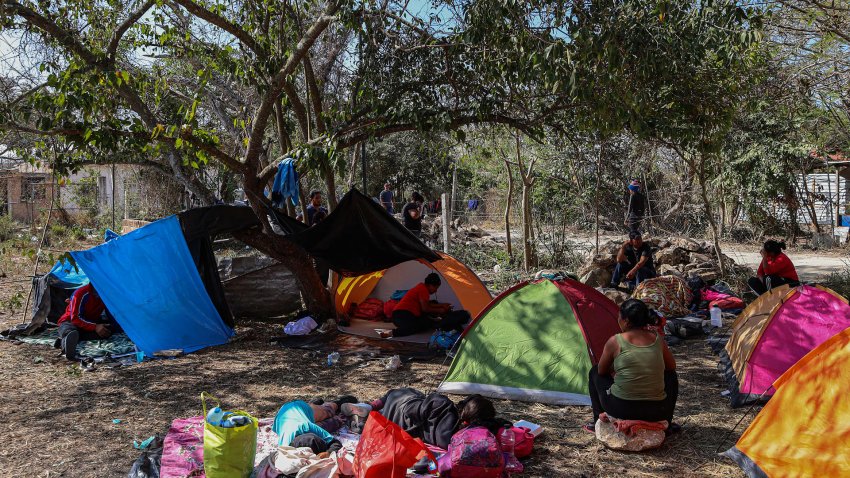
[(647, 410)]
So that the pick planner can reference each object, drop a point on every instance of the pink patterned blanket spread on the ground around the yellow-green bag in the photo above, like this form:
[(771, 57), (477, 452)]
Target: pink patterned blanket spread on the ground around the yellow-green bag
[(183, 447)]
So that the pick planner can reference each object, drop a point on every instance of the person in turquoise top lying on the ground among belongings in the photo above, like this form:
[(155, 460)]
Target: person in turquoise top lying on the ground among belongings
[(301, 424)]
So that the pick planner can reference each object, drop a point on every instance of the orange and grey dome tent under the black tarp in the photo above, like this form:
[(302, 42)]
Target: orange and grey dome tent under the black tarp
[(461, 287)]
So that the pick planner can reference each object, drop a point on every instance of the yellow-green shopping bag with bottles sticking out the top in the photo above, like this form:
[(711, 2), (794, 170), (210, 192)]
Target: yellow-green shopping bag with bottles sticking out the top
[(228, 452)]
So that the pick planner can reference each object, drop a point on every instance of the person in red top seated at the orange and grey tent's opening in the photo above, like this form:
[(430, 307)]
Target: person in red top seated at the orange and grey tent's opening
[(415, 310)]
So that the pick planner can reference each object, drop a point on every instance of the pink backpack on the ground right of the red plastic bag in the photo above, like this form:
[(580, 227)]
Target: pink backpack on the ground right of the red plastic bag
[(473, 453)]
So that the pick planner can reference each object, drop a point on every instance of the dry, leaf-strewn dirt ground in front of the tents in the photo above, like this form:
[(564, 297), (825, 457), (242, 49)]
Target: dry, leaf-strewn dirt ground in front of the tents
[(59, 421)]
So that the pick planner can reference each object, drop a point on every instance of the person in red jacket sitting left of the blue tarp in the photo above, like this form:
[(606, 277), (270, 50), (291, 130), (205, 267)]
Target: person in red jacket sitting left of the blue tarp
[(85, 318)]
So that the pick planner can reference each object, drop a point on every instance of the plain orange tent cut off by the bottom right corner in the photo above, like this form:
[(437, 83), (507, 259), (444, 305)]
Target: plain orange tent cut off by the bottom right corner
[(805, 428)]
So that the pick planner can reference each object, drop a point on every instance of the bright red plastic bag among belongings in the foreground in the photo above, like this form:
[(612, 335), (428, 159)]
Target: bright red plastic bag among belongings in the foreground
[(385, 450)]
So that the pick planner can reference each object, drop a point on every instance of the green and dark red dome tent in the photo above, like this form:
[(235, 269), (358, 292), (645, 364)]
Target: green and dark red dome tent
[(535, 342)]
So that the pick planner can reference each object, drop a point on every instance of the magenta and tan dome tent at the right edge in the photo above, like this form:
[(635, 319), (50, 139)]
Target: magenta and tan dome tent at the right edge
[(776, 331)]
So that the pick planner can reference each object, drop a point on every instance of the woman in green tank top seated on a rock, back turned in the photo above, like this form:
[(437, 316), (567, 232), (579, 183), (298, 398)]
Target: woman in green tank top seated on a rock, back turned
[(636, 376)]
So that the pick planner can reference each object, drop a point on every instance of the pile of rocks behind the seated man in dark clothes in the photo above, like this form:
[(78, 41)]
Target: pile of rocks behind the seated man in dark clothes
[(678, 256)]
